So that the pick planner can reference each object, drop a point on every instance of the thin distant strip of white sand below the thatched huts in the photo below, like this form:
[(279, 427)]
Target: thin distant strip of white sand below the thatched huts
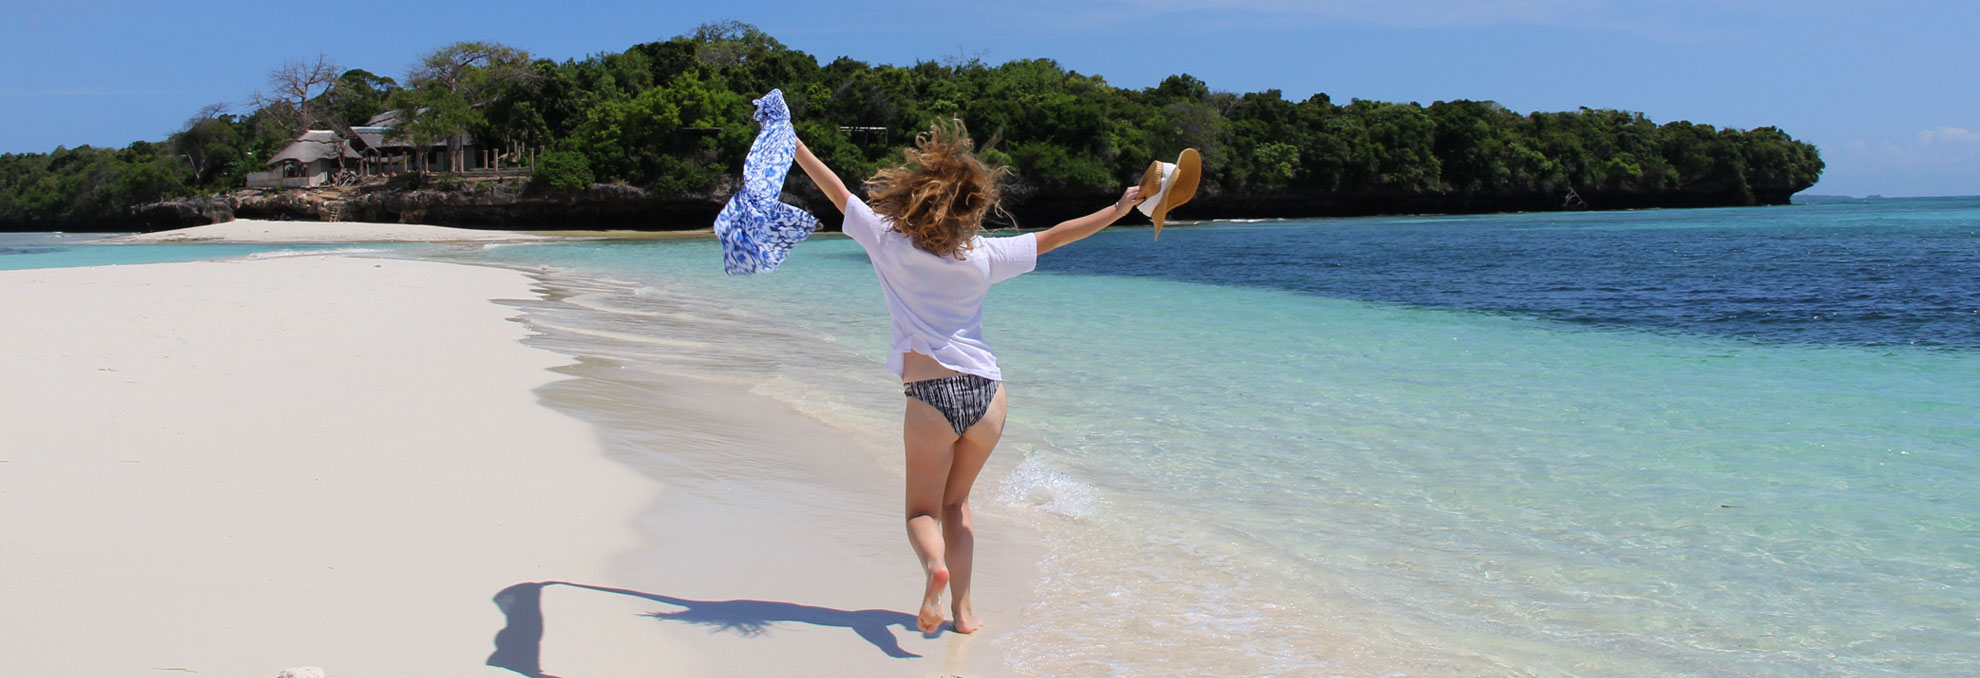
[(330, 233)]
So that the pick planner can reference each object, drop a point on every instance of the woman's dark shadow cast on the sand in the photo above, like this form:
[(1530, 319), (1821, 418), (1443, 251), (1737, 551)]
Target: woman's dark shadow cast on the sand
[(520, 645)]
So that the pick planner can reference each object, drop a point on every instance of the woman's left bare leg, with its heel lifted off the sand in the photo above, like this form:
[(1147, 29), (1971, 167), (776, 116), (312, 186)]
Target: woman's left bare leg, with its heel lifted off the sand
[(930, 455)]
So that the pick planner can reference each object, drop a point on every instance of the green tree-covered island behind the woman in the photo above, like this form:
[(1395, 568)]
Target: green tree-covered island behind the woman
[(654, 138)]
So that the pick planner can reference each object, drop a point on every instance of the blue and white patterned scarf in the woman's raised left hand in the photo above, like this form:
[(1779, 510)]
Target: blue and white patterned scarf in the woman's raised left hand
[(755, 229)]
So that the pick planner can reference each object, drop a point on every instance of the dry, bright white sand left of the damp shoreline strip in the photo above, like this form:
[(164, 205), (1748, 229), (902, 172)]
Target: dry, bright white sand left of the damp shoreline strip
[(231, 469)]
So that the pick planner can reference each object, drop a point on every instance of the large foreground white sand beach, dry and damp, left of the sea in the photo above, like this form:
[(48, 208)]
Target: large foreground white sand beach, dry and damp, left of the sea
[(233, 469)]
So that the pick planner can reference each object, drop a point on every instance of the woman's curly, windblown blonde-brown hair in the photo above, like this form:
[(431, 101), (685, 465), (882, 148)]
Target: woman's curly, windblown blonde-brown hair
[(941, 193)]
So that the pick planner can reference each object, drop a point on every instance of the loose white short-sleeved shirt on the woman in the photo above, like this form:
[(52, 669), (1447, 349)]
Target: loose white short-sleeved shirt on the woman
[(938, 302)]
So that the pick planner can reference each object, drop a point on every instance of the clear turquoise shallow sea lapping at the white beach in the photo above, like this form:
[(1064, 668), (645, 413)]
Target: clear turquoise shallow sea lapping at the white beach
[(1258, 479)]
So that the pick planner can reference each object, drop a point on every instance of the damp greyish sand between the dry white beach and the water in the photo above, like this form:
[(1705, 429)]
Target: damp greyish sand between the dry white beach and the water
[(781, 526)]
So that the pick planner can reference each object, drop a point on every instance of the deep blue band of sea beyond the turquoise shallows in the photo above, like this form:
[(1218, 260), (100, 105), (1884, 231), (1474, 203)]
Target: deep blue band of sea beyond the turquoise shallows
[(1876, 273)]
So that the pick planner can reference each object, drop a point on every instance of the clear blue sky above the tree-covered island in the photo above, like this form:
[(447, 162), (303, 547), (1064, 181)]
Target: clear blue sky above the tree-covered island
[(1888, 90)]
